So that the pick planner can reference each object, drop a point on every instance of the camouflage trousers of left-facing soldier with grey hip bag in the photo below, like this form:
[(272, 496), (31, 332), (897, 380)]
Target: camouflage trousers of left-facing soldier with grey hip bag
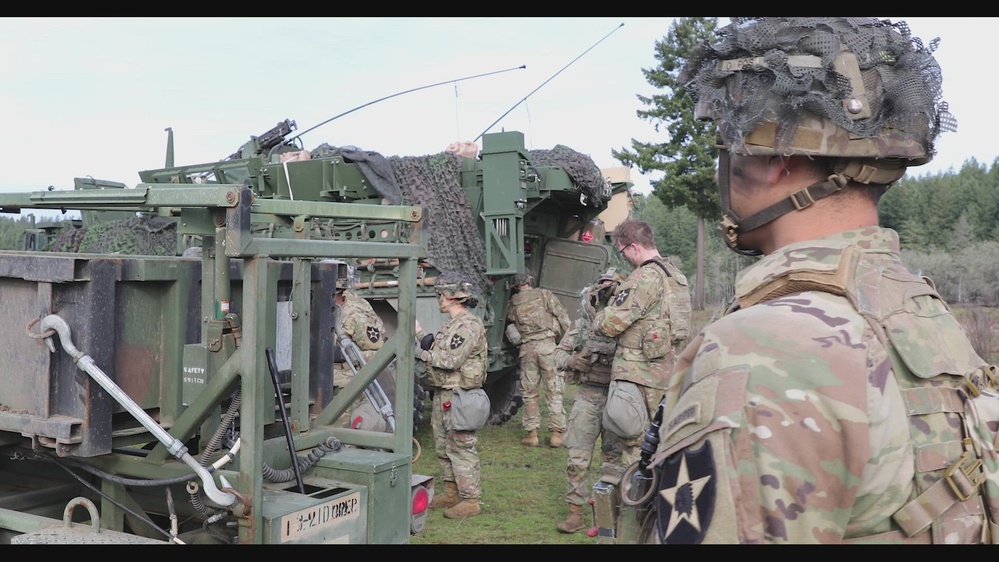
[(455, 450)]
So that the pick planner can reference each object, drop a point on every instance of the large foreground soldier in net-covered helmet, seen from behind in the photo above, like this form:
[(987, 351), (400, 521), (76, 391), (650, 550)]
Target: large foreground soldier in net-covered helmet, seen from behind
[(826, 404)]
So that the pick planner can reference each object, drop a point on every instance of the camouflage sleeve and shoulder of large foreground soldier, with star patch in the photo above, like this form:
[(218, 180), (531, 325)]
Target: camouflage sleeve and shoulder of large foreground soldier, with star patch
[(787, 426)]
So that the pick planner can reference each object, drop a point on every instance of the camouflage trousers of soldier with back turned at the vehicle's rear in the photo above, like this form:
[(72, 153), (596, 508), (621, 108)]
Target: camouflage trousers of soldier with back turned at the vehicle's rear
[(537, 364)]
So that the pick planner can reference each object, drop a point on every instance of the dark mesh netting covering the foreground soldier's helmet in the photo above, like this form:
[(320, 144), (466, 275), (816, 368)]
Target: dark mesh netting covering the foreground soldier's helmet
[(759, 83)]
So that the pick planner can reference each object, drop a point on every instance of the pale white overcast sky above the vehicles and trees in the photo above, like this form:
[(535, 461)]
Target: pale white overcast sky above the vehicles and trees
[(92, 96)]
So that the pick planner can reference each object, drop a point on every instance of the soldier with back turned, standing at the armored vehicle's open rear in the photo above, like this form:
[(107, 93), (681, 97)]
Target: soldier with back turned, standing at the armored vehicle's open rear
[(541, 320)]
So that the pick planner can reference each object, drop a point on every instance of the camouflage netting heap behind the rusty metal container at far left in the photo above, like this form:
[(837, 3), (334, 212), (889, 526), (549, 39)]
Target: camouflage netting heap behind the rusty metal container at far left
[(146, 236)]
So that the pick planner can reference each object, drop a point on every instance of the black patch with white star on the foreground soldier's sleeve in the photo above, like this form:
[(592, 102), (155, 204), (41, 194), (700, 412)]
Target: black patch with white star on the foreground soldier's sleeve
[(686, 499)]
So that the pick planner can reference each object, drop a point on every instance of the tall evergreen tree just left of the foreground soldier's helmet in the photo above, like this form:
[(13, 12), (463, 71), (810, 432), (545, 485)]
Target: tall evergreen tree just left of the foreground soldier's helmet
[(687, 157)]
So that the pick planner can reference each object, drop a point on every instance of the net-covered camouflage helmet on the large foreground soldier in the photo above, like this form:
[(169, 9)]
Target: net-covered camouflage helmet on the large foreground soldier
[(860, 90)]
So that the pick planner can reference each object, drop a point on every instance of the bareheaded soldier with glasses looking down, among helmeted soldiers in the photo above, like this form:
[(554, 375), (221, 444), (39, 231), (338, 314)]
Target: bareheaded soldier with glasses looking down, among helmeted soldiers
[(649, 317)]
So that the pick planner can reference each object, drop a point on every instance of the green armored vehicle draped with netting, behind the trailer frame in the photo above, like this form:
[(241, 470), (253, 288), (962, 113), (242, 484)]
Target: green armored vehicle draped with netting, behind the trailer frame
[(488, 213)]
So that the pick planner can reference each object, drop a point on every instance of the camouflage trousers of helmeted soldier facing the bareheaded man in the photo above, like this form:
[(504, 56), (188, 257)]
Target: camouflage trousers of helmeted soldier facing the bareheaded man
[(585, 427)]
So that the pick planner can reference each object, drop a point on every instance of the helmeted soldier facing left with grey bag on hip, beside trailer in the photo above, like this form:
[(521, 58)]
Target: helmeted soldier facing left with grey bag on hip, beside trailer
[(457, 358)]
